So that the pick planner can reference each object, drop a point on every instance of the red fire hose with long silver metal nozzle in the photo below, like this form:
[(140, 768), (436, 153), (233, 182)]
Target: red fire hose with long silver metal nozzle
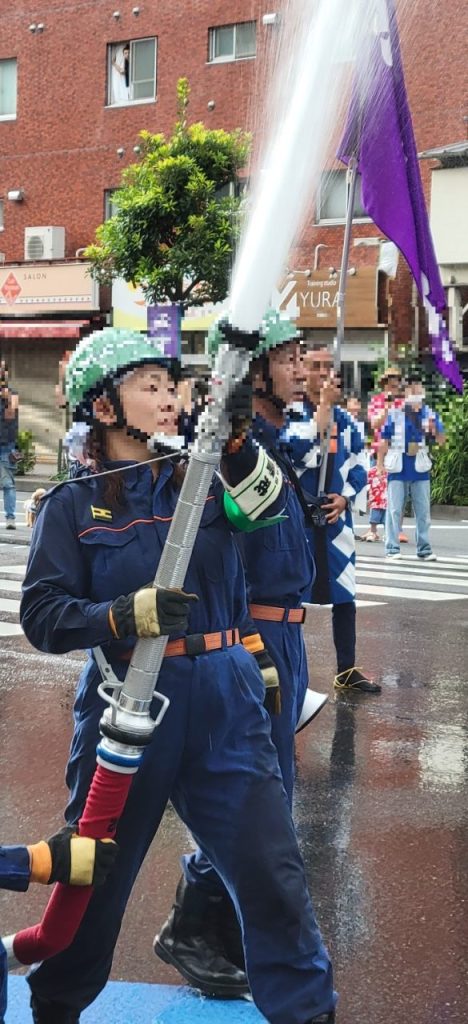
[(126, 726)]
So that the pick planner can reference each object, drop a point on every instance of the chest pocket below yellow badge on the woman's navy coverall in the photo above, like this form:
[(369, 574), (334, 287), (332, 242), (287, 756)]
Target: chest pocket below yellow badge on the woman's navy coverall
[(119, 562)]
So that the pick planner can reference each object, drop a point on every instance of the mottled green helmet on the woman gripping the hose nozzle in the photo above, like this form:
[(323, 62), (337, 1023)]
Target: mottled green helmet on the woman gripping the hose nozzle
[(103, 355)]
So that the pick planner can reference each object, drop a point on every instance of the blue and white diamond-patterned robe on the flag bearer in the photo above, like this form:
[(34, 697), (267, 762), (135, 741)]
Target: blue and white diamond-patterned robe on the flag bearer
[(333, 547)]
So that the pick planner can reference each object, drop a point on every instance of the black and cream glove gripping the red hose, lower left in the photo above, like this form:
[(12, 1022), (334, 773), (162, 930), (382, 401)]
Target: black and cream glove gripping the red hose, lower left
[(72, 860)]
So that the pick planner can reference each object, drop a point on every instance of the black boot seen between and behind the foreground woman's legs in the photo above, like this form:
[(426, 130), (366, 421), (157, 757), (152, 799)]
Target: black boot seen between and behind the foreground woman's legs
[(191, 942)]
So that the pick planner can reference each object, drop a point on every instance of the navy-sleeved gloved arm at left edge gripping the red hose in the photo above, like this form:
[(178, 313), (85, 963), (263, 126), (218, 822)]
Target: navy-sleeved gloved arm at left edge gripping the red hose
[(65, 858)]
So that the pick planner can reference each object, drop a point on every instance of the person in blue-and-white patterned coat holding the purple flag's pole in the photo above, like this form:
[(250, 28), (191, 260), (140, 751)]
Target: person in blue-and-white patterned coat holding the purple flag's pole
[(333, 544)]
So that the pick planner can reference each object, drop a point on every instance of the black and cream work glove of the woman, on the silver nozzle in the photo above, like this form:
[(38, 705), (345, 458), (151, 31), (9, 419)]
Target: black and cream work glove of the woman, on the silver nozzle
[(152, 612)]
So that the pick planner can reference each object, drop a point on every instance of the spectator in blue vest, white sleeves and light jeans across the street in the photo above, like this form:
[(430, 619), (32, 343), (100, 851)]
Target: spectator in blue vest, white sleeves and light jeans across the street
[(404, 452)]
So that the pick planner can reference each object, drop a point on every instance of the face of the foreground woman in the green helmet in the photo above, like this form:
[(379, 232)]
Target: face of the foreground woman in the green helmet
[(151, 401)]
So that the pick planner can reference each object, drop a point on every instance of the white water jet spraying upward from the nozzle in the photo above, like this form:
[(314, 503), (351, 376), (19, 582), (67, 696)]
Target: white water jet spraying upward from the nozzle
[(312, 86)]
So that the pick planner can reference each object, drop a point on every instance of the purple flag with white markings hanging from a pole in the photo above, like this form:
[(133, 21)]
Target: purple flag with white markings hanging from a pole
[(379, 134)]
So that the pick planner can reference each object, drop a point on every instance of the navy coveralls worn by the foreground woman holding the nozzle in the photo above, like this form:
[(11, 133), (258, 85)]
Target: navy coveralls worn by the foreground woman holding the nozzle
[(212, 755)]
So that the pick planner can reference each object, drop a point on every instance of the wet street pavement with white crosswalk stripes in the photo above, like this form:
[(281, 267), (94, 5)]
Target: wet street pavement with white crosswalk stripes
[(381, 805)]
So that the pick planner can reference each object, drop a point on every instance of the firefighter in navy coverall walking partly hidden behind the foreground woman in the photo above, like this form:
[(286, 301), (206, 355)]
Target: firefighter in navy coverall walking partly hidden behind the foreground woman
[(201, 930)]
